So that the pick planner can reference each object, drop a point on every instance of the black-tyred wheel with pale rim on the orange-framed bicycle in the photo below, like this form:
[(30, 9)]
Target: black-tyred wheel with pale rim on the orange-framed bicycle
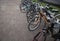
[(34, 23)]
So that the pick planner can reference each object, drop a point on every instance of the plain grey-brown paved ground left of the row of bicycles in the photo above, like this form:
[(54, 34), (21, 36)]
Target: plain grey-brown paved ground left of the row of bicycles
[(13, 23)]
